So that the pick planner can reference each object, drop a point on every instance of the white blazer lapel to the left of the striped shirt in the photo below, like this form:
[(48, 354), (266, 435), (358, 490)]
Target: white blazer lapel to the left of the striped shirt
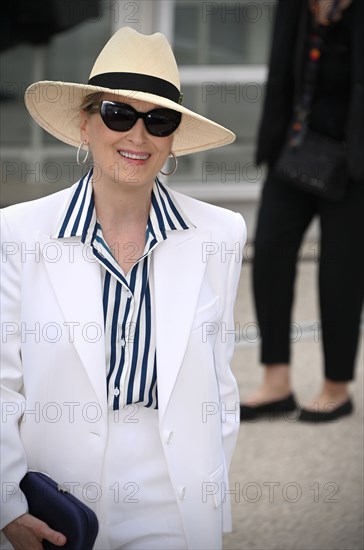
[(76, 281)]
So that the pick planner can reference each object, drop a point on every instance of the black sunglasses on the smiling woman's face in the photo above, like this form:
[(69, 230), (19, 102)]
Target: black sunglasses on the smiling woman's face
[(121, 117)]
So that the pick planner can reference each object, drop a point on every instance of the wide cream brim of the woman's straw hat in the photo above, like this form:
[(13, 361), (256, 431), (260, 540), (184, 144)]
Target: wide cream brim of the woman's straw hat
[(55, 106)]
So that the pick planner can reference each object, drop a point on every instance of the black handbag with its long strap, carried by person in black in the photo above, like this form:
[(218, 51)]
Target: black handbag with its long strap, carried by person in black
[(308, 160)]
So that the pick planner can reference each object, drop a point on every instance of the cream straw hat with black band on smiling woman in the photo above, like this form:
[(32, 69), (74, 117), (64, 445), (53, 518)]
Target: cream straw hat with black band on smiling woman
[(131, 65)]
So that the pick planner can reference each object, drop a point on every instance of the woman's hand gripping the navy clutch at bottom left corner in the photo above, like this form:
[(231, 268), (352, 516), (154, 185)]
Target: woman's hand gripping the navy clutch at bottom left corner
[(27, 532)]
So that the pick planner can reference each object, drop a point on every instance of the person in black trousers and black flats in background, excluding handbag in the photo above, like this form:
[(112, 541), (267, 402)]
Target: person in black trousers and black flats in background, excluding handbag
[(337, 111)]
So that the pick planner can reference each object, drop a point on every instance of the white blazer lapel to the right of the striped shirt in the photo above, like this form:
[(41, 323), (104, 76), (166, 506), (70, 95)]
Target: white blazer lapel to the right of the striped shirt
[(178, 274)]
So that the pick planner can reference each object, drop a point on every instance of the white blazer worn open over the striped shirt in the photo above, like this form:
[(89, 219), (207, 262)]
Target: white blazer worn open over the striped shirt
[(53, 358)]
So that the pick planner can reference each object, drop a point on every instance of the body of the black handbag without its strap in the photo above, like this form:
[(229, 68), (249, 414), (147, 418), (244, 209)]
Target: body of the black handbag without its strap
[(318, 166)]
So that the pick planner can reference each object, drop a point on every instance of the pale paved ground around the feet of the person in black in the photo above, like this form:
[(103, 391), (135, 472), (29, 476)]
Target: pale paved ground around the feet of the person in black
[(298, 486)]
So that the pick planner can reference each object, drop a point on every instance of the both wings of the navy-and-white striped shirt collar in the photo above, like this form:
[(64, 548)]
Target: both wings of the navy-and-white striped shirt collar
[(80, 219)]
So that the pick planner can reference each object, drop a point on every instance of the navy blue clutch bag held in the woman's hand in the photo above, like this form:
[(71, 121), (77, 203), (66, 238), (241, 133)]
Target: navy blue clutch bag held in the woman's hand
[(63, 512)]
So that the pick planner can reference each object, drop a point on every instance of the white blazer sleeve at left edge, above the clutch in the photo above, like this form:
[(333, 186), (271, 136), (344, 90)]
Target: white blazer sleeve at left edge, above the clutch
[(13, 457)]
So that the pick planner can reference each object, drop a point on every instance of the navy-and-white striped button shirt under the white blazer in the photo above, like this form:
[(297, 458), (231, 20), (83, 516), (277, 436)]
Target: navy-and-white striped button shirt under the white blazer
[(128, 299)]
